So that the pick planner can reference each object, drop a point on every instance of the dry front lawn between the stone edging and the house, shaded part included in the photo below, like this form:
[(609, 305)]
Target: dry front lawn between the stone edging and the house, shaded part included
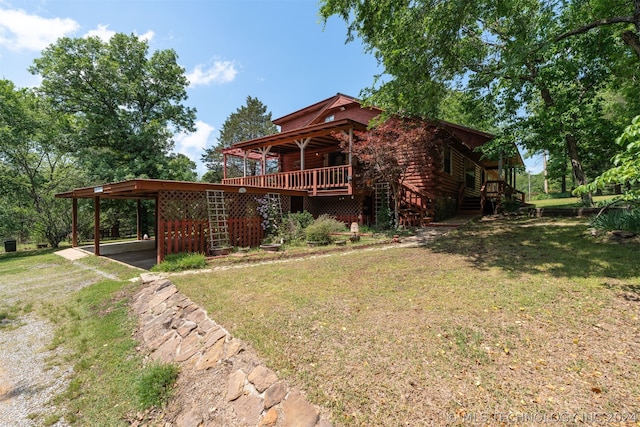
[(513, 316)]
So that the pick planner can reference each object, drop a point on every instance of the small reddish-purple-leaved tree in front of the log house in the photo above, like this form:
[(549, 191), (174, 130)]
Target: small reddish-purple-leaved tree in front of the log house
[(394, 150)]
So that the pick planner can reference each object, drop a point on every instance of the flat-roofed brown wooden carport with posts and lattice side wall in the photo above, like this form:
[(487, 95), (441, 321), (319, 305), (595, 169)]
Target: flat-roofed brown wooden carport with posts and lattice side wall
[(181, 212)]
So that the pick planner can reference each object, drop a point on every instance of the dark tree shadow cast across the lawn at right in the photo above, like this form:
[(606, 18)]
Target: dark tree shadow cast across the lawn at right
[(562, 248)]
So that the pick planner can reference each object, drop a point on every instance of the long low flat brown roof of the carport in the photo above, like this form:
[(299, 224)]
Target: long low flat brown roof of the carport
[(149, 189)]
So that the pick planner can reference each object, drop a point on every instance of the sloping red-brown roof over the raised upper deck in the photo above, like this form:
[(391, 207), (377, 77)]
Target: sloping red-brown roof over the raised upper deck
[(282, 142)]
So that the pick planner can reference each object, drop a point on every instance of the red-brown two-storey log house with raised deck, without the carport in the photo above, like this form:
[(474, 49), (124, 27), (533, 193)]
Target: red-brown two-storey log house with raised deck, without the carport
[(310, 159)]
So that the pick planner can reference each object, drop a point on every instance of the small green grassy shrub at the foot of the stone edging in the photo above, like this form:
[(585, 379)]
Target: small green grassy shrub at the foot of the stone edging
[(155, 385)]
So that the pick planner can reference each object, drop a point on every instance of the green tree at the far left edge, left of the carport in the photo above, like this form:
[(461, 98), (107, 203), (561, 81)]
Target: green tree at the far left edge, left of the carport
[(33, 168)]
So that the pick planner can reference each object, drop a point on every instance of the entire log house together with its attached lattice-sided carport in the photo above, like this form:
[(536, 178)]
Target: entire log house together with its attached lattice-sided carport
[(314, 174)]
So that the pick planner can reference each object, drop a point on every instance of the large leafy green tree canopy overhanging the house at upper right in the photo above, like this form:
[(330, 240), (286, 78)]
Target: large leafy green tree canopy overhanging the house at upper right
[(545, 88)]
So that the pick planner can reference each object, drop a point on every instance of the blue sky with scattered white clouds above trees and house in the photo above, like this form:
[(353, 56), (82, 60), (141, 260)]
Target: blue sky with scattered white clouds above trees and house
[(275, 50)]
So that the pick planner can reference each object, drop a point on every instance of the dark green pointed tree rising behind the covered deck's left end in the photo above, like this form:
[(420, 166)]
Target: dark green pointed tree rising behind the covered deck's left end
[(248, 122)]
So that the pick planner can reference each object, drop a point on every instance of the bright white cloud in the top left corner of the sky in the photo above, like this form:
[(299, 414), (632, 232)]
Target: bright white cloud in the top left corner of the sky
[(22, 31)]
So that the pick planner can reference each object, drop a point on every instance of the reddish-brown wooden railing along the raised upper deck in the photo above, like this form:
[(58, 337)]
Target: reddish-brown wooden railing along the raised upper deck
[(313, 180)]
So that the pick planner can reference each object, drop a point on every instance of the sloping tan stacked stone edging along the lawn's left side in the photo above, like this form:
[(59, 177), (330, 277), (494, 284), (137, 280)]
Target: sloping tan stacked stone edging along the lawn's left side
[(235, 387)]
